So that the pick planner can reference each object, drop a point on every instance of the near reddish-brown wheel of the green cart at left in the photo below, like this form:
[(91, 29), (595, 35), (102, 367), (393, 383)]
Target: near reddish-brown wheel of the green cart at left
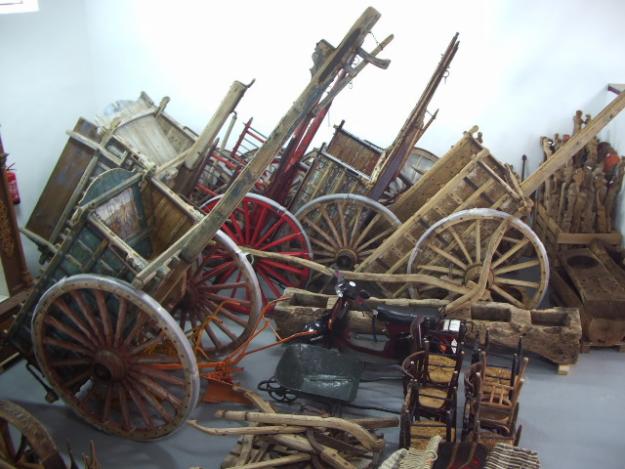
[(115, 356)]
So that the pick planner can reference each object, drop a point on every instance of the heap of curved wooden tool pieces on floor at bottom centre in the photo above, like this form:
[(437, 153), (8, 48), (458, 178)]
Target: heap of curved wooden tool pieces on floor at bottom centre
[(275, 439)]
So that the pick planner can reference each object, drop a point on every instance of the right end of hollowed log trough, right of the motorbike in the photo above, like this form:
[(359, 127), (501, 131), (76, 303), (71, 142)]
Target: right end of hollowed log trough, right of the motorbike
[(553, 333)]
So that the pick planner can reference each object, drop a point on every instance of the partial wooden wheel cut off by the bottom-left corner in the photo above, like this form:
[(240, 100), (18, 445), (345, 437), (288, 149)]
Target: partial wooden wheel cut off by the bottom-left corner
[(24, 441)]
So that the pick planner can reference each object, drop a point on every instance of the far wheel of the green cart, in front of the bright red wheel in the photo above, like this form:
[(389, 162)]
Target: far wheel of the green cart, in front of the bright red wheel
[(222, 302)]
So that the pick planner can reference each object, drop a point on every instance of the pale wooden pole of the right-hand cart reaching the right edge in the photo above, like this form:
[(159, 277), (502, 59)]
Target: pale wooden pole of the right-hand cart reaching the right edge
[(573, 146)]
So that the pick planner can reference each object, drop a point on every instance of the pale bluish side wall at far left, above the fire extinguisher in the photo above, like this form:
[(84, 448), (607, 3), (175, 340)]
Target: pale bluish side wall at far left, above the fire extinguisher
[(45, 85)]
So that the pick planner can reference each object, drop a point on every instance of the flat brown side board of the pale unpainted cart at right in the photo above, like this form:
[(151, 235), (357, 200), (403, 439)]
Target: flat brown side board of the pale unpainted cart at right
[(437, 176)]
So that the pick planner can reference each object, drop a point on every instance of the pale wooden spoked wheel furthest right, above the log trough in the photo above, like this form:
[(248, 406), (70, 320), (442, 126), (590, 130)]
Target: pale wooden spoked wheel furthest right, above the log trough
[(454, 249)]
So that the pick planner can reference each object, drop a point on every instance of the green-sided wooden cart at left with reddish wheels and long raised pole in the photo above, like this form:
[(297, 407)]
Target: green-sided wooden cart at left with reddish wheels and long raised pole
[(101, 324)]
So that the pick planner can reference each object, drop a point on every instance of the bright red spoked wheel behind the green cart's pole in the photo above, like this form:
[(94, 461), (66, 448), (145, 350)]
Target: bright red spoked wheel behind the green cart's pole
[(264, 225)]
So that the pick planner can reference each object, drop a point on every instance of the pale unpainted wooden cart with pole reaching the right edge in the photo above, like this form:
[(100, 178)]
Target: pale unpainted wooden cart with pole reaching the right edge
[(462, 238)]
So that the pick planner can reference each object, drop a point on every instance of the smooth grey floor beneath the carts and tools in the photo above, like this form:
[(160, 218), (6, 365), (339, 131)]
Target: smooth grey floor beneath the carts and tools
[(573, 421)]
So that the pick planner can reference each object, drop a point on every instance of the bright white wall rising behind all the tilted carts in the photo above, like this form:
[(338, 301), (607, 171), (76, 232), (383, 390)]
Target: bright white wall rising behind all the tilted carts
[(522, 70)]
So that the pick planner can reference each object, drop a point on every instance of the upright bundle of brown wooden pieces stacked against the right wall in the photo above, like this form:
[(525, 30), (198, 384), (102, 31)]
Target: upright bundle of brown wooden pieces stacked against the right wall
[(581, 196)]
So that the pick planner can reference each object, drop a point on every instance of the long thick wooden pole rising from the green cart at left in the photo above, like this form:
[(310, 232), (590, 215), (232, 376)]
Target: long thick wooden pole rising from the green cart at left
[(195, 240)]
